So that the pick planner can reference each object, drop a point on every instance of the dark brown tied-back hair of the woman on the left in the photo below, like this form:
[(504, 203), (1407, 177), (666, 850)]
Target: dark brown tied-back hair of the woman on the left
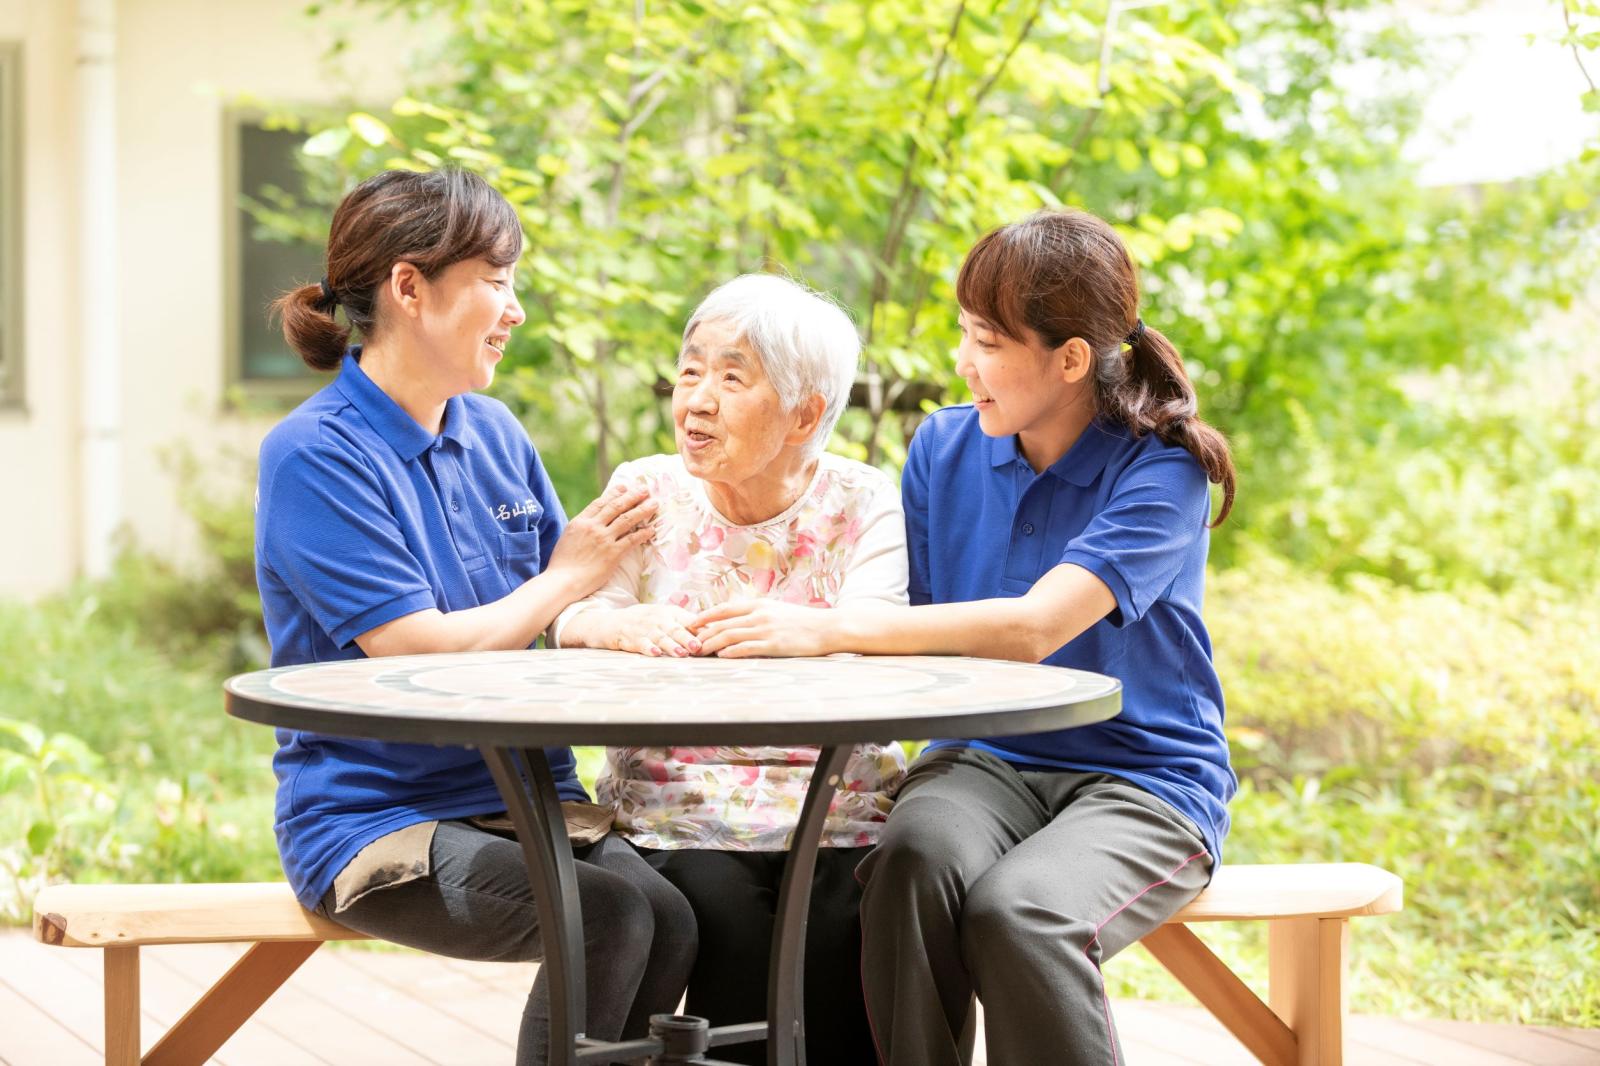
[(430, 220)]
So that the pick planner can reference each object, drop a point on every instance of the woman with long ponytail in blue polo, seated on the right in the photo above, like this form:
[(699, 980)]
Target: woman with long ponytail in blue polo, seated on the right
[(1062, 518)]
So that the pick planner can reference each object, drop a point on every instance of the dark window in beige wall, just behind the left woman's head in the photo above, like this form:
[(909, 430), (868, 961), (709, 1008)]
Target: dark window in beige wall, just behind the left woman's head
[(271, 254)]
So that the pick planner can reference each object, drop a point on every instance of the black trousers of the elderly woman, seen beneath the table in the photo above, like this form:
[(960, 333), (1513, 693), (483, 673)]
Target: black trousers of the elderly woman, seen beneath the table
[(735, 902)]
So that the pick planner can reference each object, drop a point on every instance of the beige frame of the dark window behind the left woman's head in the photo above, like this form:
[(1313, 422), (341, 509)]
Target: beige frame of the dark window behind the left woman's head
[(241, 390)]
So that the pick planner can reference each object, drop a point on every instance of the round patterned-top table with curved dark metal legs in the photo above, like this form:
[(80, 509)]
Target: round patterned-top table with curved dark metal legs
[(511, 705)]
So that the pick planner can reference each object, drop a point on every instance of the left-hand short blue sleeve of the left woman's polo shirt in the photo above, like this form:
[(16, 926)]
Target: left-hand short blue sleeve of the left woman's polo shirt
[(330, 535)]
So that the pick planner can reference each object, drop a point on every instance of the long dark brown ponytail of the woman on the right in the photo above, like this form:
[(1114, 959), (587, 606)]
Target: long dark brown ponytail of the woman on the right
[(1151, 393)]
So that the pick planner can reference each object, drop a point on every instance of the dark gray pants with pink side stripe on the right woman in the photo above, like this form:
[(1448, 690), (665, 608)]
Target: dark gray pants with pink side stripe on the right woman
[(1014, 886)]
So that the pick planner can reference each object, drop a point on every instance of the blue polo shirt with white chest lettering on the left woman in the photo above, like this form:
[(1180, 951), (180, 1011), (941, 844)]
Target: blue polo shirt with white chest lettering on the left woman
[(362, 516)]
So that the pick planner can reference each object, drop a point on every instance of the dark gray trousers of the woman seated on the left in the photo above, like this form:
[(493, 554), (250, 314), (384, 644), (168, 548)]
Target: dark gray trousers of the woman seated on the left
[(476, 904)]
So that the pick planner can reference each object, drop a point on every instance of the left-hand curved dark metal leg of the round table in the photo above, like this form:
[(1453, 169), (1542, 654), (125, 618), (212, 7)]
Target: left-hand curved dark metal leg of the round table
[(542, 830)]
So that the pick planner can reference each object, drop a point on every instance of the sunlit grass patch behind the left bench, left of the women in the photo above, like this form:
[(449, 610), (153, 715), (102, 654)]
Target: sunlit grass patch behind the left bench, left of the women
[(114, 751)]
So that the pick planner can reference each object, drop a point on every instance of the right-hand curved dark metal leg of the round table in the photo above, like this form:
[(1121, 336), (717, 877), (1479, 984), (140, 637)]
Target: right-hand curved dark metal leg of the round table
[(786, 988)]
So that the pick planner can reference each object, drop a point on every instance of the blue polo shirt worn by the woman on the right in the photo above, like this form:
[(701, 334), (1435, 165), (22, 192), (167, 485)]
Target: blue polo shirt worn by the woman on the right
[(1132, 511)]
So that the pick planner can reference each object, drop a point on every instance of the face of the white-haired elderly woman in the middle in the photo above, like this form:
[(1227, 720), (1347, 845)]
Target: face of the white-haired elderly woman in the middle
[(730, 423)]
